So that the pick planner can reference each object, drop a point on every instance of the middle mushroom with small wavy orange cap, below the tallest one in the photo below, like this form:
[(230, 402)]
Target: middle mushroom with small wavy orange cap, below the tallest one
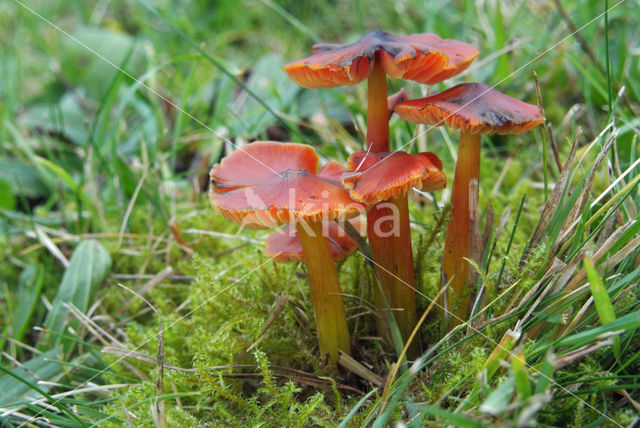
[(377, 177)]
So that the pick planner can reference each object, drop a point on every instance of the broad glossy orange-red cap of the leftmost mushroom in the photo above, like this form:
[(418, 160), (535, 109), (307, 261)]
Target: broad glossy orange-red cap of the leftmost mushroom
[(266, 184)]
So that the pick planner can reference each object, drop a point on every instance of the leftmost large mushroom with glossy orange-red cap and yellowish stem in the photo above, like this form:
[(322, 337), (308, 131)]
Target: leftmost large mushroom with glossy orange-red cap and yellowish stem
[(266, 184)]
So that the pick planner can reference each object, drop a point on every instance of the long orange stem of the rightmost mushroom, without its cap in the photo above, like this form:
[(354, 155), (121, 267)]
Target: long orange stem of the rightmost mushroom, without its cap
[(461, 240)]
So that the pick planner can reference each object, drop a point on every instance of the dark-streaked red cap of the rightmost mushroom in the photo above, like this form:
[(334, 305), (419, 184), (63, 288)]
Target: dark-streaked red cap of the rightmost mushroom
[(473, 107)]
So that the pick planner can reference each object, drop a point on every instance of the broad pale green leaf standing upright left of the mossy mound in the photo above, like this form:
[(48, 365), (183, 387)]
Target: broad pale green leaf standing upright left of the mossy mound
[(88, 267)]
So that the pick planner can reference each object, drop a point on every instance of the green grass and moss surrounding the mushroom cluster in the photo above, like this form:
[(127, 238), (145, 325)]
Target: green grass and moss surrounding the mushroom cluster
[(102, 181)]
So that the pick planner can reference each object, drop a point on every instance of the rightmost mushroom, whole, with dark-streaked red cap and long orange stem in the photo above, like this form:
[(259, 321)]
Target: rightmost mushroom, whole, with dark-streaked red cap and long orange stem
[(475, 109)]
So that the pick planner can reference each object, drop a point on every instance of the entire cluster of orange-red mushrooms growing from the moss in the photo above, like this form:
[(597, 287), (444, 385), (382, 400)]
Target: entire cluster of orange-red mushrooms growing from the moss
[(269, 184)]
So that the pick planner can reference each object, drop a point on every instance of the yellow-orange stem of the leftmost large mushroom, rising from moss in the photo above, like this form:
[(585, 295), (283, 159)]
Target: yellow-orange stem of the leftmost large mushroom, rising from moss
[(326, 297)]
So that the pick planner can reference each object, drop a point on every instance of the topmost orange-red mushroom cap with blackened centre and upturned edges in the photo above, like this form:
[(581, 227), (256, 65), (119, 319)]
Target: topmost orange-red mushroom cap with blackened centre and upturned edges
[(425, 58)]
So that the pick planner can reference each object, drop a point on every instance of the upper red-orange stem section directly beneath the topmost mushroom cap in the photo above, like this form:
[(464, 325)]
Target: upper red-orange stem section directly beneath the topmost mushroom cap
[(377, 111)]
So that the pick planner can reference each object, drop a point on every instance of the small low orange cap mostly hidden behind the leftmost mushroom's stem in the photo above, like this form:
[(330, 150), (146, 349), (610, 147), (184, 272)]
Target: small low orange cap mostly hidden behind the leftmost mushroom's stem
[(284, 244)]
